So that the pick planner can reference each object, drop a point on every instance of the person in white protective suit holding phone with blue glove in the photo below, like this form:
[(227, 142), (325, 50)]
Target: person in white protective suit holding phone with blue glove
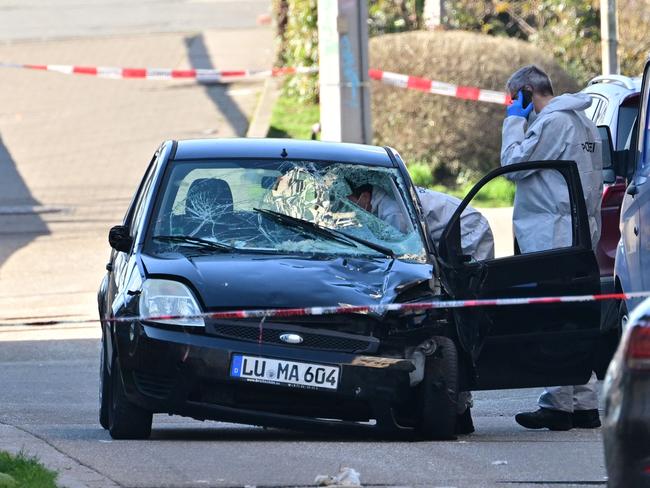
[(557, 130)]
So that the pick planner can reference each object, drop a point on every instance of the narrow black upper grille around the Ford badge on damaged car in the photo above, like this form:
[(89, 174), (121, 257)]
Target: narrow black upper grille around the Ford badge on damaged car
[(312, 339)]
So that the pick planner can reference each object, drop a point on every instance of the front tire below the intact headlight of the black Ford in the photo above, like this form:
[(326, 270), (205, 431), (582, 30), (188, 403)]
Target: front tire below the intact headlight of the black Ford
[(126, 420)]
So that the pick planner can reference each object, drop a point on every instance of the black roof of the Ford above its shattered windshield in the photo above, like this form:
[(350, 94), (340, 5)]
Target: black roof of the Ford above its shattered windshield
[(278, 148)]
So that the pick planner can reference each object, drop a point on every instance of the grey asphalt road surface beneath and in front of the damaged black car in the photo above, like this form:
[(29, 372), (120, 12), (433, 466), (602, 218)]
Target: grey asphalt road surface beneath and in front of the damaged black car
[(49, 389)]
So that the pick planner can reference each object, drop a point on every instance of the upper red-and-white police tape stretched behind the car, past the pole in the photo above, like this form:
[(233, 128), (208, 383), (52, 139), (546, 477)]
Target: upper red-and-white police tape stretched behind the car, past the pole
[(218, 76)]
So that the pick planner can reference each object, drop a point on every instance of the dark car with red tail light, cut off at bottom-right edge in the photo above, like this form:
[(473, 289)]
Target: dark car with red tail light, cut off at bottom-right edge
[(626, 427)]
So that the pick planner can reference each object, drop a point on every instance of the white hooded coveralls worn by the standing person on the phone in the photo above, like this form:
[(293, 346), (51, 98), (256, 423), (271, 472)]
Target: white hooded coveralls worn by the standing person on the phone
[(542, 218)]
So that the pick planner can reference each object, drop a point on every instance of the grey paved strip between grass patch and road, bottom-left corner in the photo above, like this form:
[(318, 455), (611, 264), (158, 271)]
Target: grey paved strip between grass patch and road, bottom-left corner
[(71, 473)]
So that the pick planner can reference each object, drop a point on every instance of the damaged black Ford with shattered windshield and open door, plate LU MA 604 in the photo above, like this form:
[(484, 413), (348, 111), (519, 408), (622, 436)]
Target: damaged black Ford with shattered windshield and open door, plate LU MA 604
[(236, 224)]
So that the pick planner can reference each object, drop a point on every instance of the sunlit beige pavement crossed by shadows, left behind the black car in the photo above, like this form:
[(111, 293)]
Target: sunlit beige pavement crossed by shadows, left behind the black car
[(73, 149)]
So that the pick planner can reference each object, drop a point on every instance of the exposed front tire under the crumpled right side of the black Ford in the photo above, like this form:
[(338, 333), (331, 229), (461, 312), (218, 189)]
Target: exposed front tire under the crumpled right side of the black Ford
[(438, 393)]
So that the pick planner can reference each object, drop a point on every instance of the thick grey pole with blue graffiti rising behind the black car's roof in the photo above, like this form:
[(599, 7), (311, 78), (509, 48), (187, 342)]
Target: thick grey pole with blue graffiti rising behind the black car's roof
[(343, 71)]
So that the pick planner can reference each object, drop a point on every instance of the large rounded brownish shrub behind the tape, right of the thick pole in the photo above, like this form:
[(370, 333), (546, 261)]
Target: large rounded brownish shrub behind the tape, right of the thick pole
[(459, 139)]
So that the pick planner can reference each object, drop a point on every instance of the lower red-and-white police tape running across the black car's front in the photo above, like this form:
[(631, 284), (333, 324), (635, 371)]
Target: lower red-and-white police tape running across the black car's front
[(358, 309)]
